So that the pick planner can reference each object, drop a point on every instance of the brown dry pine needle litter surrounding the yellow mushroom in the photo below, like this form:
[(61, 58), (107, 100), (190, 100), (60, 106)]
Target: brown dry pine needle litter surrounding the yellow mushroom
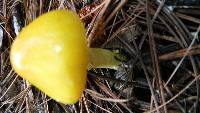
[(159, 38)]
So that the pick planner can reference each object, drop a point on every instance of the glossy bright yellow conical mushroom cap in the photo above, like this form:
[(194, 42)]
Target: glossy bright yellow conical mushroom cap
[(51, 53)]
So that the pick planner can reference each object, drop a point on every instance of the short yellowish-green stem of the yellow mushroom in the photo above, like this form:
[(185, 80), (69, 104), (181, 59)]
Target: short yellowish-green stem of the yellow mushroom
[(103, 58)]
